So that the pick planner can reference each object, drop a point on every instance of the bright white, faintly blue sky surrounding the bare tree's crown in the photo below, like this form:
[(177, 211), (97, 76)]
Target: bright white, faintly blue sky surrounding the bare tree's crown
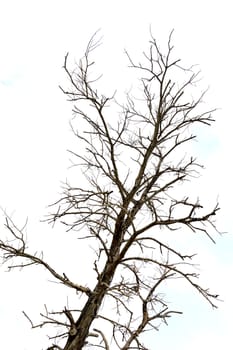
[(34, 136)]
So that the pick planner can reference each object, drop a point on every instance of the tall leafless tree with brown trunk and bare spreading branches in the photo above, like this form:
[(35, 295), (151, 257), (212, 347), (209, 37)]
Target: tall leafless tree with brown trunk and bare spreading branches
[(134, 163)]
